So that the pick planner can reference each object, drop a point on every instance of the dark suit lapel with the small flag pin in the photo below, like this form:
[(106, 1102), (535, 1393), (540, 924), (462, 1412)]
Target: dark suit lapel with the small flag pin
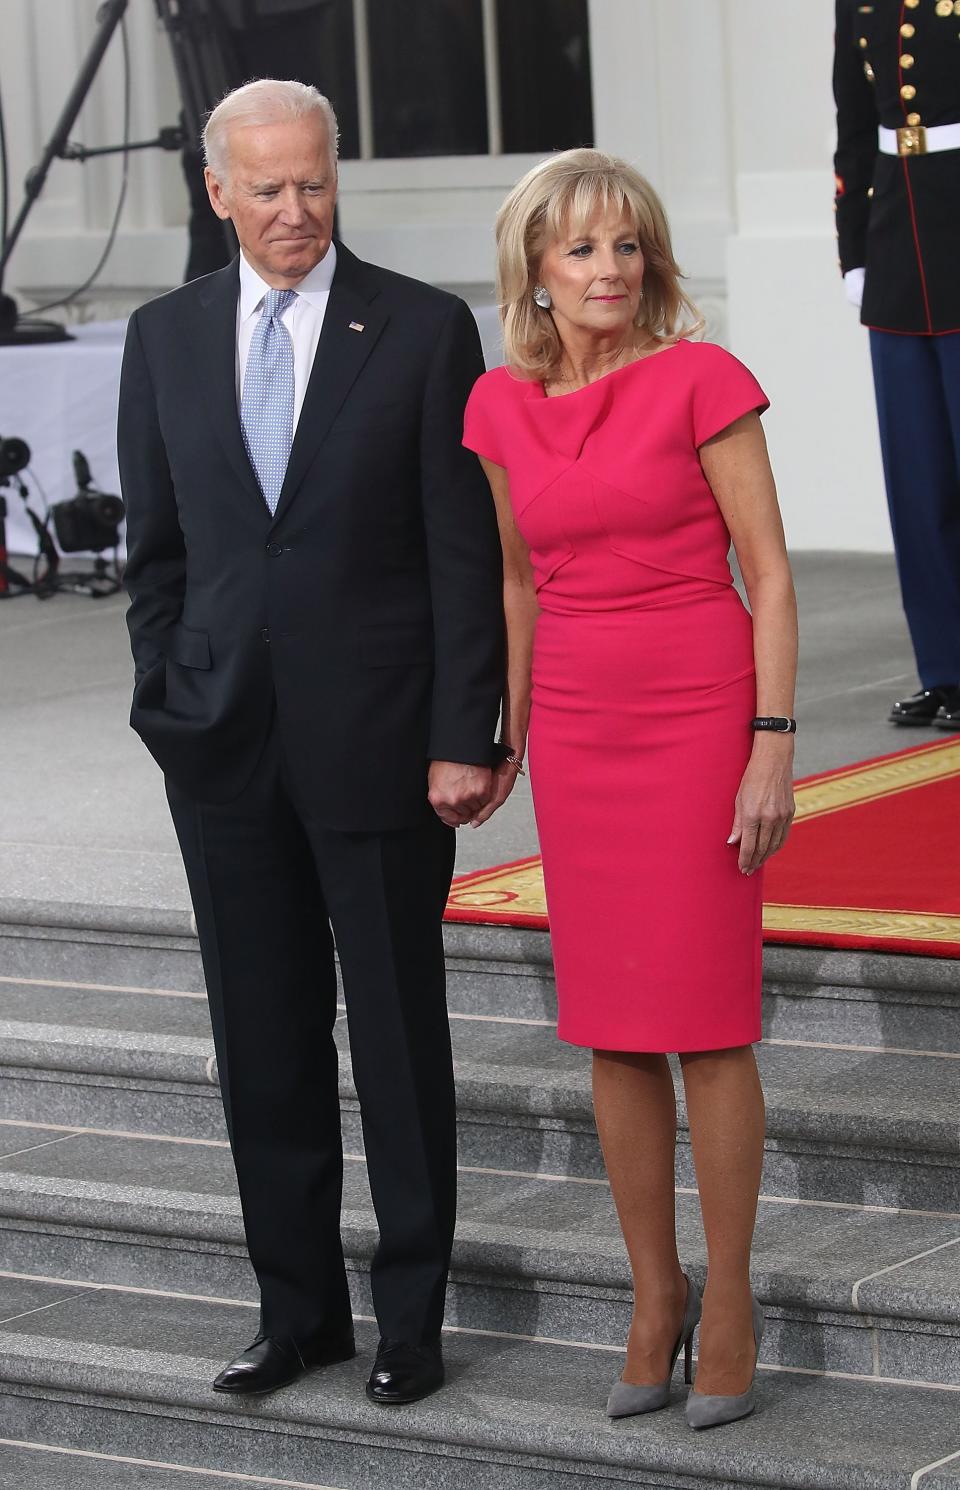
[(341, 355)]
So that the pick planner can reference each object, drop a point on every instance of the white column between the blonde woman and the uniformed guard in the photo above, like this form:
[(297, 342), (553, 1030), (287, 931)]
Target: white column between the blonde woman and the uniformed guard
[(788, 315)]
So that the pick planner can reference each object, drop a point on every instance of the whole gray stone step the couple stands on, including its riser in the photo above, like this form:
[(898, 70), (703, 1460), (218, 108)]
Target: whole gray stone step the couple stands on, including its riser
[(129, 1375)]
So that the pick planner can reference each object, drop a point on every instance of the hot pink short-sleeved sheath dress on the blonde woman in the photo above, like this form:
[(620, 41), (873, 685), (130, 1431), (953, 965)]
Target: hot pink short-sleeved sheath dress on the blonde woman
[(643, 697)]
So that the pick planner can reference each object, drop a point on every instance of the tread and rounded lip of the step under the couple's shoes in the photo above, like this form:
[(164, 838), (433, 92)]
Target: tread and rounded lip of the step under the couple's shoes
[(524, 1400)]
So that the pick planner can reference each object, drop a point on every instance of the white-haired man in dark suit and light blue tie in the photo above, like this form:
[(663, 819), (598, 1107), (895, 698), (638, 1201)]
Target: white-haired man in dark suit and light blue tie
[(318, 638)]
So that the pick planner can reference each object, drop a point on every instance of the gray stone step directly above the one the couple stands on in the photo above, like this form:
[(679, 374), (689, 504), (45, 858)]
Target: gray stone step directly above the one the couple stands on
[(847, 1290)]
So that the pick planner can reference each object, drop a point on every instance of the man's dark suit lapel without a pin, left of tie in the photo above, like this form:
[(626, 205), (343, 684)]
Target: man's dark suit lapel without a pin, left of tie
[(214, 337)]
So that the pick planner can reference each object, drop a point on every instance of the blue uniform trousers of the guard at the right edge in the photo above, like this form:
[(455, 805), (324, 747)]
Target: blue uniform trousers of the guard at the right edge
[(918, 384)]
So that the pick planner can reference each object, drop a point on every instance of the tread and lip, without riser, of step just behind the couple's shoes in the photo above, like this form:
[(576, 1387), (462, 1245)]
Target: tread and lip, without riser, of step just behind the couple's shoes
[(522, 1227)]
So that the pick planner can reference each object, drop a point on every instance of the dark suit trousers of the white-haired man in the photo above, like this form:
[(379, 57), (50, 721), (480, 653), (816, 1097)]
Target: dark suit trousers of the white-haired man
[(268, 886)]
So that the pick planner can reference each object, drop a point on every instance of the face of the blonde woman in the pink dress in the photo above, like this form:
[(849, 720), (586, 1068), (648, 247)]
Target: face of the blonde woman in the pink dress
[(596, 278)]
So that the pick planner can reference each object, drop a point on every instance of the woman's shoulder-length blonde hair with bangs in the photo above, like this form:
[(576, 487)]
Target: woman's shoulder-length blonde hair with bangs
[(558, 197)]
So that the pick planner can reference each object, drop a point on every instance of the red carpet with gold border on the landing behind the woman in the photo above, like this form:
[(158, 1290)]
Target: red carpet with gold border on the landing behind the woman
[(870, 863)]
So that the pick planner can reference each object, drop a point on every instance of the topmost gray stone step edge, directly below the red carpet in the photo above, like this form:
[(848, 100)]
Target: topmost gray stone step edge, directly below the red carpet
[(852, 998)]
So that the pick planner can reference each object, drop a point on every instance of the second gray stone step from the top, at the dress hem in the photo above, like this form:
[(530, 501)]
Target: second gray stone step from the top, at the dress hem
[(844, 1123)]
